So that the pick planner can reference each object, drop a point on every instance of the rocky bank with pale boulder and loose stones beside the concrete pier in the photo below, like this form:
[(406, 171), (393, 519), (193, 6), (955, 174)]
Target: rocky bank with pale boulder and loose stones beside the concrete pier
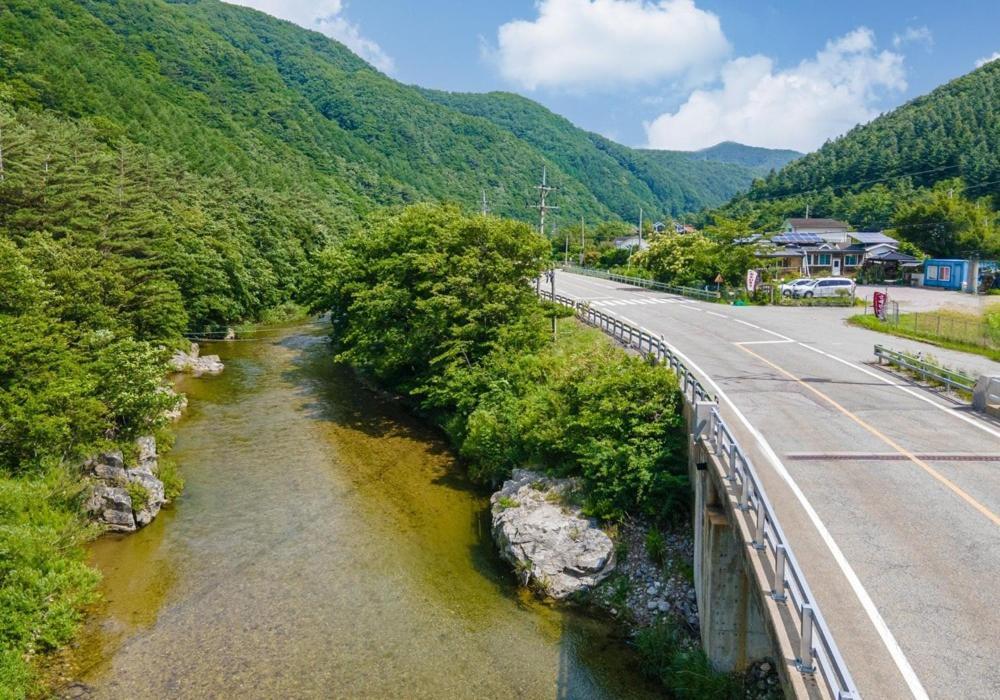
[(639, 574)]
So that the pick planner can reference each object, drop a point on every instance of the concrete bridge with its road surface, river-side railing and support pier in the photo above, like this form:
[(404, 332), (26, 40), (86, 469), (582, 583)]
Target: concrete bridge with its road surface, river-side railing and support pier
[(846, 520)]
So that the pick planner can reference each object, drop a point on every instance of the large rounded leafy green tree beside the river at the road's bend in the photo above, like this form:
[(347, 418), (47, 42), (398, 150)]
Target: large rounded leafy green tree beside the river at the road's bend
[(416, 292)]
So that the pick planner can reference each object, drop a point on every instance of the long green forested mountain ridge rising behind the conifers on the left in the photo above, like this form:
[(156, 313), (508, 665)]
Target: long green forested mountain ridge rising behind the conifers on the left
[(228, 90)]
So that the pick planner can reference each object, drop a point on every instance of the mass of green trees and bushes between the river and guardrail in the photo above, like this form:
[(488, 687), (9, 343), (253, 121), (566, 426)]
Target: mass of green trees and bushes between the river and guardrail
[(440, 306)]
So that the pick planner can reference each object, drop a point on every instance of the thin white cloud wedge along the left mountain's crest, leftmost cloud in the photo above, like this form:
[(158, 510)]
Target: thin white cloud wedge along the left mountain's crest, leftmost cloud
[(326, 16)]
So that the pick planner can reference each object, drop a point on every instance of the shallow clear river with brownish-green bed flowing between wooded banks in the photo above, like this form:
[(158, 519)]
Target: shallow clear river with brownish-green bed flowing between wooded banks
[(327, 545)]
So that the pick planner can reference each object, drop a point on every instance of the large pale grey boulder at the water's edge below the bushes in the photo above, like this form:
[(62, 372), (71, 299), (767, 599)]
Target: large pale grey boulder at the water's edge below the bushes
[(552, 546)]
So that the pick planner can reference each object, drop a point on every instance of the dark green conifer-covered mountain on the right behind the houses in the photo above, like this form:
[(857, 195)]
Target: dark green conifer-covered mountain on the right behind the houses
[(929, 170)]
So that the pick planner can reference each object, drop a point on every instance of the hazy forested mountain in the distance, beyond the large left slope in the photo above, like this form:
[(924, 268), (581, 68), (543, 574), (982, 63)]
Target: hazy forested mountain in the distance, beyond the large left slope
[(623, 179)]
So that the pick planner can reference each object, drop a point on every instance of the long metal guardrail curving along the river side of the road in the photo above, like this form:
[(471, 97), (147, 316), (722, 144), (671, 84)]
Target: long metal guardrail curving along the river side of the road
[(817, 652)]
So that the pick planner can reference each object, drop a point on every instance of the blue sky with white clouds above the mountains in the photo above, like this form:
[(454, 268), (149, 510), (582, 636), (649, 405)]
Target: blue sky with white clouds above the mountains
[(673, 74)]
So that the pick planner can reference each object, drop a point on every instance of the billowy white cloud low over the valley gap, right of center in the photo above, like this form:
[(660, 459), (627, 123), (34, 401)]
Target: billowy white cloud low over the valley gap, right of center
[(797, 108)]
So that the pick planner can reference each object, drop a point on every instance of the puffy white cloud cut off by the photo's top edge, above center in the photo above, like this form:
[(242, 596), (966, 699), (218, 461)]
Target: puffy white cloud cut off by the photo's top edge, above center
[(581, 44)]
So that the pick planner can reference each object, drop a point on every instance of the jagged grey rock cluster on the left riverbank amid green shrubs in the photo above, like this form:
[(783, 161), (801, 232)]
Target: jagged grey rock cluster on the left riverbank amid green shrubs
[(125, 498)]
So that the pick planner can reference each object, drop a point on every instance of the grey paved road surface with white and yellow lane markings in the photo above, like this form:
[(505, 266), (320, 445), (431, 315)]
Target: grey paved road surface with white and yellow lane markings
[(889, 494)]
